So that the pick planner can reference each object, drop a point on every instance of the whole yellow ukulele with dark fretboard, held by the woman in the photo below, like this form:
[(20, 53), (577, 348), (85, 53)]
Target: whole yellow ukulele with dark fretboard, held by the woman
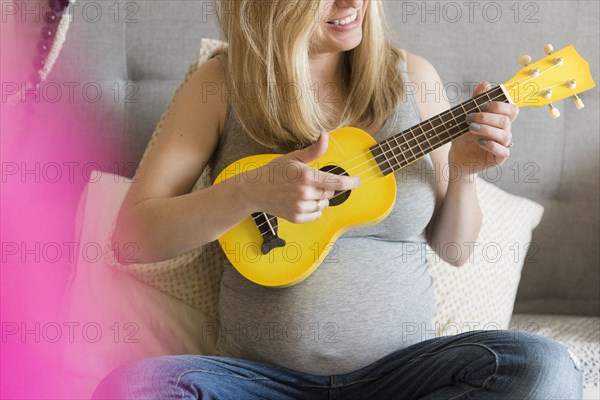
[(271, 251)]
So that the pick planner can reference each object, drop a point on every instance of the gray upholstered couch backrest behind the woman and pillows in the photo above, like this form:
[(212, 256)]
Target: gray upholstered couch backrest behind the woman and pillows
[(147, 51)]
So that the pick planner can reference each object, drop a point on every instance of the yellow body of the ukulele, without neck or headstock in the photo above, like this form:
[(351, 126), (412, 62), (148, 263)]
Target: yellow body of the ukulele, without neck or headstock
[(307, 244)]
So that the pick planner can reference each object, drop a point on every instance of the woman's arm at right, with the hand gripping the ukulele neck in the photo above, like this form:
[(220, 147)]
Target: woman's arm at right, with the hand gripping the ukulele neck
[(457, 218)]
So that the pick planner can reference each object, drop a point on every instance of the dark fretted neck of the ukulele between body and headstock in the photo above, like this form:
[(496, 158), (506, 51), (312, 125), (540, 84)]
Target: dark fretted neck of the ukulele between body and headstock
[(410, 145)]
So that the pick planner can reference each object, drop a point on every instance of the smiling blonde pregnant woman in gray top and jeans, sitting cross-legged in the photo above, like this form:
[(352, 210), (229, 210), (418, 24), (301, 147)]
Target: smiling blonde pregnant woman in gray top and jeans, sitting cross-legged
[(293, 71)]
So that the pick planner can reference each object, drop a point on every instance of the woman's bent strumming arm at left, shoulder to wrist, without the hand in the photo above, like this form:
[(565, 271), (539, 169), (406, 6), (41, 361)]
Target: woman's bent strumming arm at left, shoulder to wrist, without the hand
[(159, 214)]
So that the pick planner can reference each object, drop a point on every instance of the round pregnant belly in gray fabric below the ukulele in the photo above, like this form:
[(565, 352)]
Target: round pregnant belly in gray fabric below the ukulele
[(349, 313)]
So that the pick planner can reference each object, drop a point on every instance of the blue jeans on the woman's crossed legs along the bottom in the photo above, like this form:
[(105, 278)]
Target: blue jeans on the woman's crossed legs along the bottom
[(497, 364)]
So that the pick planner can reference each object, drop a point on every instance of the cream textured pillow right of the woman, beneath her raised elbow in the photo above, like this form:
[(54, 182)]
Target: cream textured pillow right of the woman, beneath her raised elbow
[(481, 293)]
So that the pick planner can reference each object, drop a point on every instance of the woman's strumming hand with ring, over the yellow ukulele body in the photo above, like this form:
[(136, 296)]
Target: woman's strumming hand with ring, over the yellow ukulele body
[(288, 188)]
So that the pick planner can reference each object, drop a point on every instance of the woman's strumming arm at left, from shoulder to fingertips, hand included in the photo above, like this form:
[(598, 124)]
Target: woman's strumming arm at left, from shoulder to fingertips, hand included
[(163, 219)]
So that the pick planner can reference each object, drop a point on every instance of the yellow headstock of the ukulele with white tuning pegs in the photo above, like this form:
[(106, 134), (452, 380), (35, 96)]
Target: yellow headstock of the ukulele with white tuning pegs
[(559, 75)]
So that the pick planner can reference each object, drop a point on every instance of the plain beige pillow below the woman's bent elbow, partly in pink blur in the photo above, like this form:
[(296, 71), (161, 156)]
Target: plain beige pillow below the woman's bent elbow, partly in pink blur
[(120, 318)]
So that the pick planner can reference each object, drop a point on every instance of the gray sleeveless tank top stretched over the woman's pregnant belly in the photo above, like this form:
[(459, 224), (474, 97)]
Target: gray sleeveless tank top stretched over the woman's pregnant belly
[(372, 294)]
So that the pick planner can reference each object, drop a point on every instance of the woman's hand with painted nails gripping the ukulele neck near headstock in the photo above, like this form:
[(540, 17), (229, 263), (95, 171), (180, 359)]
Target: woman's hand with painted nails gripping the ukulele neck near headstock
[(488, 142)]
